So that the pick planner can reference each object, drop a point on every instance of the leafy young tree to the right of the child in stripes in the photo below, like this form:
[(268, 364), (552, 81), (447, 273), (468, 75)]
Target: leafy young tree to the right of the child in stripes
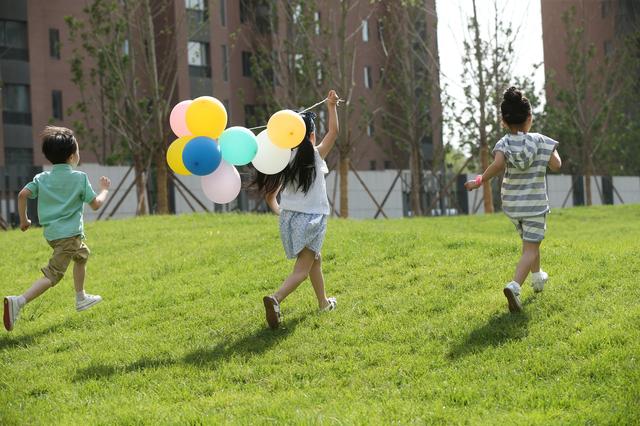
[(588, 112)]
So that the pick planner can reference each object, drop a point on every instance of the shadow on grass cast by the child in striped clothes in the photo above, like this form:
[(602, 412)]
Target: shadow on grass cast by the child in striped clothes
[(501, 328)]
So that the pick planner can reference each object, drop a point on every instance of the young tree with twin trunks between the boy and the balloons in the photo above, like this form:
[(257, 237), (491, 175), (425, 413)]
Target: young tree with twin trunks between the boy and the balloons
[(124, 64)]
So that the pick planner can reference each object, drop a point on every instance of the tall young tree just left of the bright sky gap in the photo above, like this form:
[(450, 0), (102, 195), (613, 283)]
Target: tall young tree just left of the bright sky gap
[(412, 113)]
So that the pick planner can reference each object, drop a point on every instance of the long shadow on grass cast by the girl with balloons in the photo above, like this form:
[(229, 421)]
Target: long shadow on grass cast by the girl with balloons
[(247, 346)]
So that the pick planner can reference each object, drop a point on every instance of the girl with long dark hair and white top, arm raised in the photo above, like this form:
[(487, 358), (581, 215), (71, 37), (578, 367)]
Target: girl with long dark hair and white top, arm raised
[(303, 210)]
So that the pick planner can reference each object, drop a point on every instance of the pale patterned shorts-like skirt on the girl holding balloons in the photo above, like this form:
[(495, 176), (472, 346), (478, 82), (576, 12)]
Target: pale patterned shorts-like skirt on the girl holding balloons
[(299, 230)]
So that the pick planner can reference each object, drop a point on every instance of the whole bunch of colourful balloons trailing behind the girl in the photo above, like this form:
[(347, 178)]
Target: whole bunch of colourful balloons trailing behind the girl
[(204, 148)]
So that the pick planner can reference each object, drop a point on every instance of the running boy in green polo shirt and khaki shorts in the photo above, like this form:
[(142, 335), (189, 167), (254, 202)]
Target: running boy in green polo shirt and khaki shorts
[(61, 193)]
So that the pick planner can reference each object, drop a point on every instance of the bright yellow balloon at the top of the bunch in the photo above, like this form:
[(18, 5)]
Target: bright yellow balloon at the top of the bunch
[(206, 116)]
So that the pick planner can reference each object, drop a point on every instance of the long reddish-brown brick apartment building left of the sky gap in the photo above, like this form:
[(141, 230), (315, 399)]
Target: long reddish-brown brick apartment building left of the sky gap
[(37, 89)]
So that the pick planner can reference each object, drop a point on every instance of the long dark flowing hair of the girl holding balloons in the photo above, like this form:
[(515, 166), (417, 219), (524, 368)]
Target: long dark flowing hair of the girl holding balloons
[(300, 173)]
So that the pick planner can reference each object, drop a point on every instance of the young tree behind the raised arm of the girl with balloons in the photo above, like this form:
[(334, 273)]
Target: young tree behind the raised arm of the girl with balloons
[(311, 46)]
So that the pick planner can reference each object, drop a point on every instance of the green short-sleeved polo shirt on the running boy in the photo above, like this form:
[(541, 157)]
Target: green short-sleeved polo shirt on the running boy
[(61, 195)]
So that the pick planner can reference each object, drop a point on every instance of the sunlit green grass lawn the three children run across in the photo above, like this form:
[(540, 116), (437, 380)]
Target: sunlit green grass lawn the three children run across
[(422, 333)]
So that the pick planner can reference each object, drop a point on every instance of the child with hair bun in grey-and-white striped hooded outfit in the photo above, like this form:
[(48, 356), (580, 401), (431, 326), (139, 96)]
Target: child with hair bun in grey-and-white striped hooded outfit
[(524, 191)]
